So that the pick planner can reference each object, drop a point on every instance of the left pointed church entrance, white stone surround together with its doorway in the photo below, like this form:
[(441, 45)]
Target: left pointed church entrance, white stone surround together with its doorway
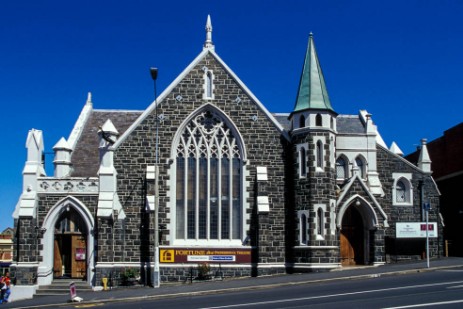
[(67, 242)]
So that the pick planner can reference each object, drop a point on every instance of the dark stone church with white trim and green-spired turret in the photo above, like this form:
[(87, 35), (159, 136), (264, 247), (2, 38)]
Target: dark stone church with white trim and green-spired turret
[(231, 184)]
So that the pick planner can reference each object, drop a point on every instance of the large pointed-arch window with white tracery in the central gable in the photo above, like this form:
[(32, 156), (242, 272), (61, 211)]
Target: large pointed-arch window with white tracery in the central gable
[(208, 181)]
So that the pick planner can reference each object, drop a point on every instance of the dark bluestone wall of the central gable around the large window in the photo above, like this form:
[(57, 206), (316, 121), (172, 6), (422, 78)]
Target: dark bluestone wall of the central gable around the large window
[(264, 145)]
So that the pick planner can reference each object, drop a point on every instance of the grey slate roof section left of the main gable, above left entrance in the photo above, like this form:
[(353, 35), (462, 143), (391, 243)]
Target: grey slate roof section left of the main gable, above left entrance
[(85, 157)]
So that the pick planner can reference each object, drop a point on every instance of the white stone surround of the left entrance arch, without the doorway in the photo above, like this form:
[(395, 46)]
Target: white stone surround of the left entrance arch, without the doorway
[(45, 270)]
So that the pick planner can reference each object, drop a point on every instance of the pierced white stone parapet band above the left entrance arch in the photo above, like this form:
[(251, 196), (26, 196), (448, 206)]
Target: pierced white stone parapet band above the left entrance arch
[(77, 185)]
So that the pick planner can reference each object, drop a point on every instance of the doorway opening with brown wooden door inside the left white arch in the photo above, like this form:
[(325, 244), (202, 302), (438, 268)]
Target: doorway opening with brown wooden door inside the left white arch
[(70, 246)]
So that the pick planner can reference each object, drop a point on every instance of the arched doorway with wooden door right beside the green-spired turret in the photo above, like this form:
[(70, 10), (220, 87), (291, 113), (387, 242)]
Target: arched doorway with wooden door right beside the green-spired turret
[(352, 238)]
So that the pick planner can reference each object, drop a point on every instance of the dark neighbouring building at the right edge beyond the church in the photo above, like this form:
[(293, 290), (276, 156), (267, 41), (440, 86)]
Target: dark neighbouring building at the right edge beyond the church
[(447, 166)]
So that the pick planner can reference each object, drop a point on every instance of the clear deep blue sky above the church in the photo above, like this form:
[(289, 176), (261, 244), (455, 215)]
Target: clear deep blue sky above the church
[(400, 60)]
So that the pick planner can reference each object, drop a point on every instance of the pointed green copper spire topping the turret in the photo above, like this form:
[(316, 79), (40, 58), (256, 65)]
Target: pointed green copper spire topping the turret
[(312, 93)]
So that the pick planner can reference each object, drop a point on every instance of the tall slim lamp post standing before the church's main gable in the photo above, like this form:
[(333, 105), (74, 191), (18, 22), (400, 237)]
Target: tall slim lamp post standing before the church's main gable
[(156, 275)]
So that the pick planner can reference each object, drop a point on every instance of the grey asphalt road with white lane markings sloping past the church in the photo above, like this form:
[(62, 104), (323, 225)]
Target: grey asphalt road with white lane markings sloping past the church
[(437, 289)]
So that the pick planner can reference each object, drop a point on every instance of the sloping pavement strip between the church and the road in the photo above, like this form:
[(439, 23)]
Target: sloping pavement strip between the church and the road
[(167, 290)]
